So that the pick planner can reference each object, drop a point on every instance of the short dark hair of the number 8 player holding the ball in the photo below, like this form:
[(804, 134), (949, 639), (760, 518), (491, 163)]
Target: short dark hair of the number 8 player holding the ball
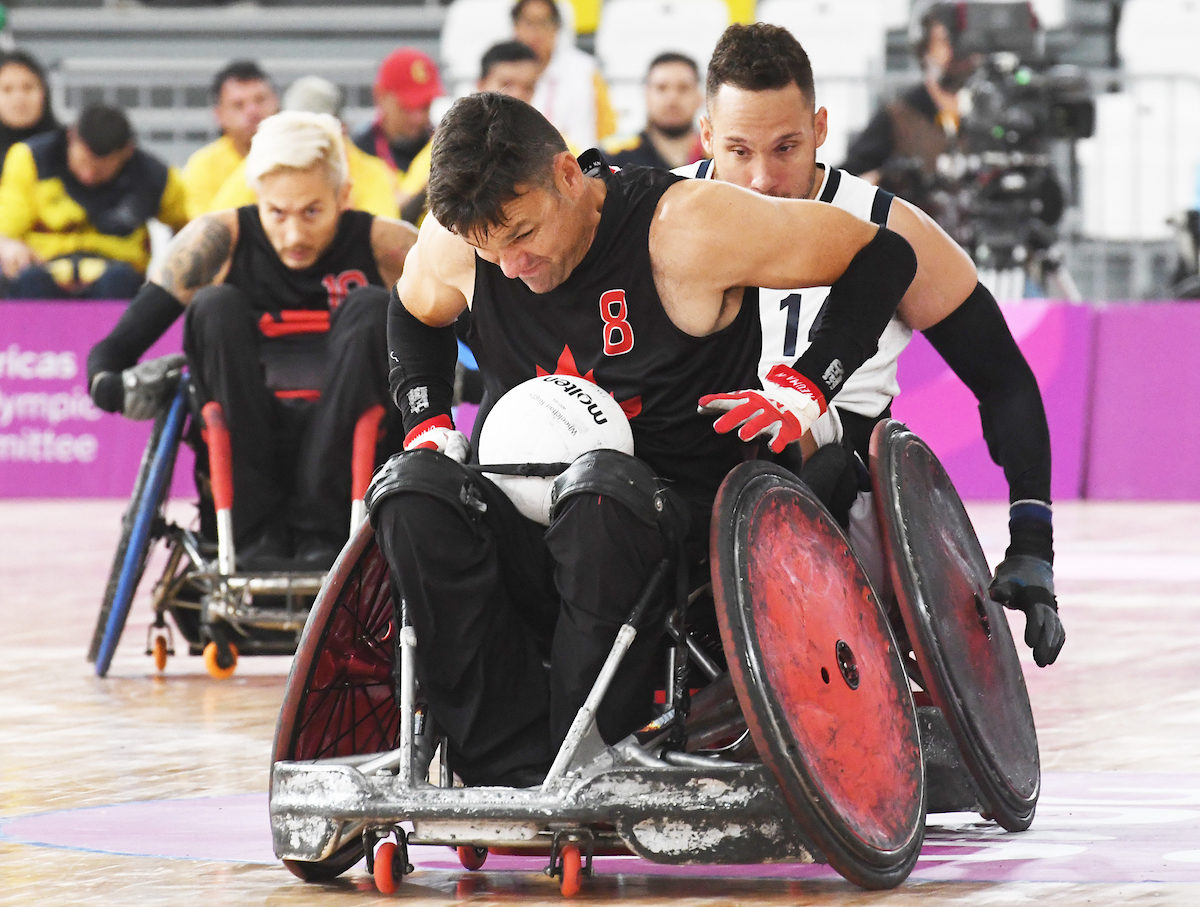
[(487, 146)]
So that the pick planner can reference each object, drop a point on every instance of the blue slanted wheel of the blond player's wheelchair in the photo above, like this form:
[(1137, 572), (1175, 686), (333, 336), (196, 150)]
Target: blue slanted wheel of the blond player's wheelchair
[(139, 527)]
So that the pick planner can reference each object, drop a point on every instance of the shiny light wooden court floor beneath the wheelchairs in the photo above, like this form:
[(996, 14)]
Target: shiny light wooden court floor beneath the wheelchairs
[(143, 790)]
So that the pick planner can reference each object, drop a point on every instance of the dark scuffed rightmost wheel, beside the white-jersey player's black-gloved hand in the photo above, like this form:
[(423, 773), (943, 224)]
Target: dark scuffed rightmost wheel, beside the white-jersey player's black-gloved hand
[(959, 635)]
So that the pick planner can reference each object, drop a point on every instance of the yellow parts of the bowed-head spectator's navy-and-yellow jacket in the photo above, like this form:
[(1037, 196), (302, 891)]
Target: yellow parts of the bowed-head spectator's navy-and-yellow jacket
[(38, 211)]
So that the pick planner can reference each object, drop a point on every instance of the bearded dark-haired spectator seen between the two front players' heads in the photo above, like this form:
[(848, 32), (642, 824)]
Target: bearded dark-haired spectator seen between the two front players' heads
[(673, 101)]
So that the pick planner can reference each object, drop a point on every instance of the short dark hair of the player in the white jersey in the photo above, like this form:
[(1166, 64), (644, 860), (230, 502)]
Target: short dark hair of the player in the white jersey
[(759, 58)]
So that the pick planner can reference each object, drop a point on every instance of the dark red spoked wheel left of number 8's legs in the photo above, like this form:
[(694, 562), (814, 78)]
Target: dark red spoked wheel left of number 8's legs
[(340, 698)]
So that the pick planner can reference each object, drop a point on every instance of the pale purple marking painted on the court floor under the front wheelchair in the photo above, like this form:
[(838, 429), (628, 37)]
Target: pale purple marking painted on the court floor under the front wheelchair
[(1097, 827)]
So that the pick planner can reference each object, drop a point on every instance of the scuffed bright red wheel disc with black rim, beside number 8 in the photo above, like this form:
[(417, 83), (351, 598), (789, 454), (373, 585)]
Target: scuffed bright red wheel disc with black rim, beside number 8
[(819, 675)]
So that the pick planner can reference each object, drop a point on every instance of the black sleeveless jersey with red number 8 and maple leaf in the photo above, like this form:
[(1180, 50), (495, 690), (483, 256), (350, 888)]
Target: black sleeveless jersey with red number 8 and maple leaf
[(607, 325)]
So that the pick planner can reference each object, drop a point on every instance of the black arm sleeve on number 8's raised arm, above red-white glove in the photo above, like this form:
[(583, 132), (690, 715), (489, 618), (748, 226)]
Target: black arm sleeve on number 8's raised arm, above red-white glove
[(860, 307)]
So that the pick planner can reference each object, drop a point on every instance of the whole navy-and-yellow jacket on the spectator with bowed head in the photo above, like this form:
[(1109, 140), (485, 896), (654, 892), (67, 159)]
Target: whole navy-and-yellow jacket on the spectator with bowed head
[(46, 208)]
